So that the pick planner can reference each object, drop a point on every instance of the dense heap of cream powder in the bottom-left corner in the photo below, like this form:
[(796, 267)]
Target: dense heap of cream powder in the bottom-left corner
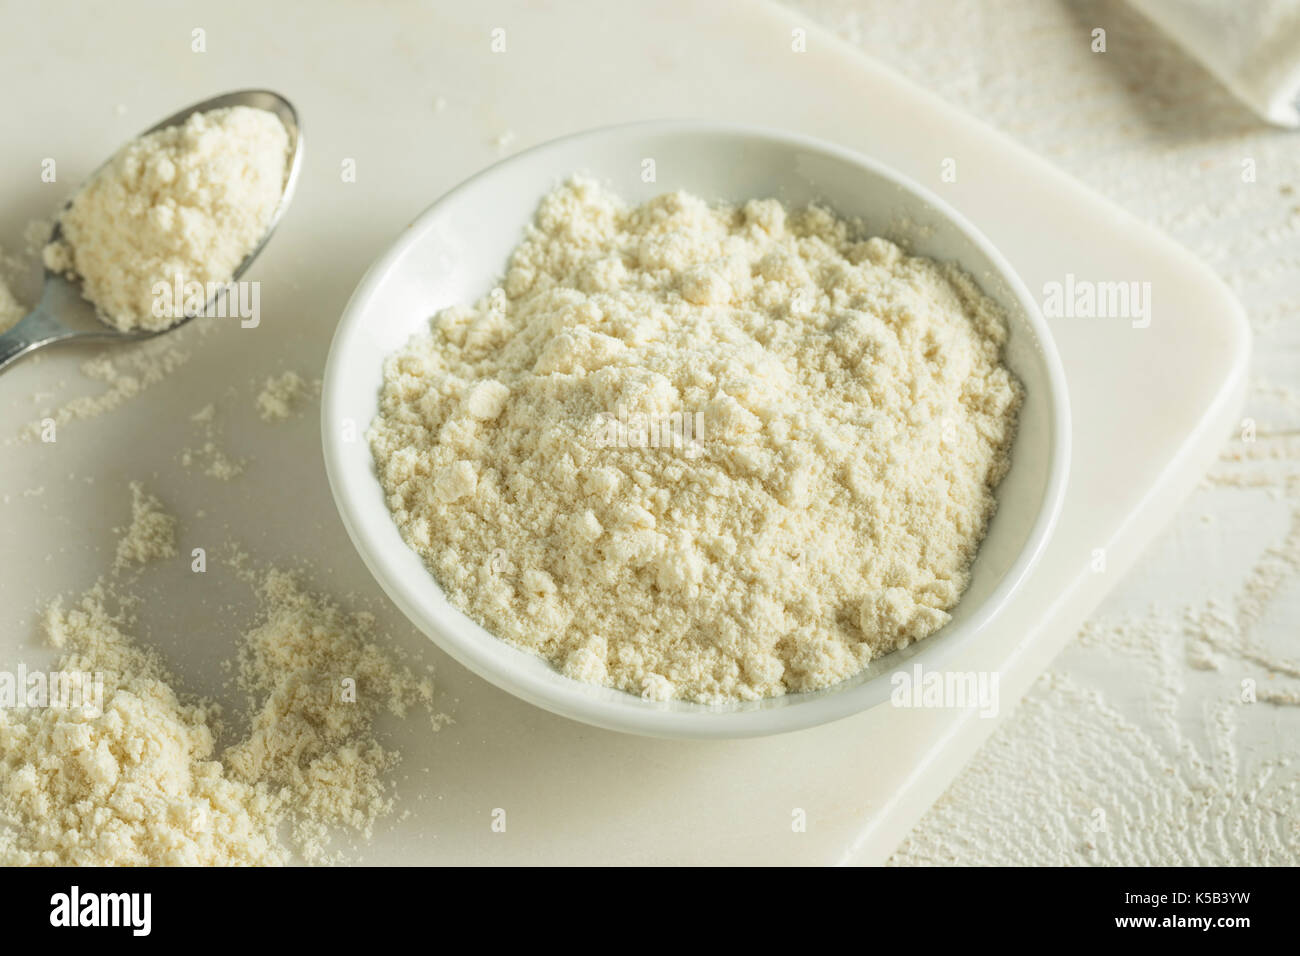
[(136, 782)]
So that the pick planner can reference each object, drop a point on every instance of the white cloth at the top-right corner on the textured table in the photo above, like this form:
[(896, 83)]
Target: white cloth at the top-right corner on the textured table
[(1253, 46)]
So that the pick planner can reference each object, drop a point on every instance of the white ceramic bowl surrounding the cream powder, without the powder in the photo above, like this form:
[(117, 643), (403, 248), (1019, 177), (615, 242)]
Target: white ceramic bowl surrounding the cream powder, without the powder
[(457, 250)]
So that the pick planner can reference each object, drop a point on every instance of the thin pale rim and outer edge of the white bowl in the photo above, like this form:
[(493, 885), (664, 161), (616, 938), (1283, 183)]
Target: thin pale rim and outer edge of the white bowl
[(632, 716)]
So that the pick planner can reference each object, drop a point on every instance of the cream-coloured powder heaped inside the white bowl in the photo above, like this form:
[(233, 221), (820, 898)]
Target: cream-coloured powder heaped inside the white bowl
[(710, 453)]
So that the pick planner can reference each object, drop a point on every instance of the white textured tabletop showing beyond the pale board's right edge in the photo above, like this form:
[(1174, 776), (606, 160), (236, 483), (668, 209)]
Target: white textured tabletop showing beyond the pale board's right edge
[(1137, 747)]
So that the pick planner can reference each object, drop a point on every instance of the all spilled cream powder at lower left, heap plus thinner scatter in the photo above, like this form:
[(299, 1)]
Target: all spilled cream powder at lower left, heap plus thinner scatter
[(142, 778)]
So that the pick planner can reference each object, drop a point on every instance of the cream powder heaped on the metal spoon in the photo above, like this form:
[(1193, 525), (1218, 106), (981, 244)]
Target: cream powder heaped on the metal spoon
[(183, 205)]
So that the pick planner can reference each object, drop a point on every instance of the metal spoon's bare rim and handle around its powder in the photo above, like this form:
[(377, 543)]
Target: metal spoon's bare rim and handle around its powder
[(64, 315)]
